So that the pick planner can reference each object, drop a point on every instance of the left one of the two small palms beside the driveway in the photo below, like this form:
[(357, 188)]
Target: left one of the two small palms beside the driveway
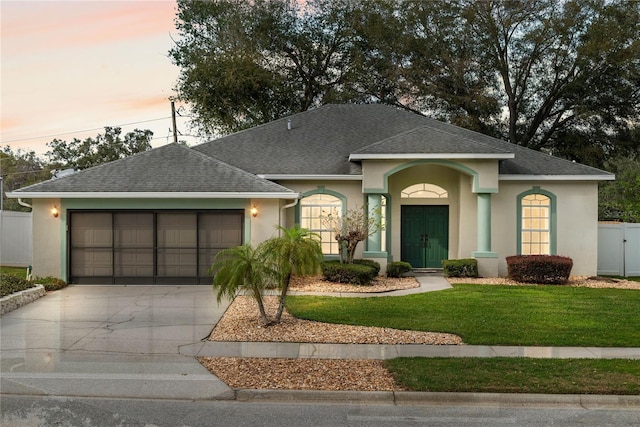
[(239, 269)]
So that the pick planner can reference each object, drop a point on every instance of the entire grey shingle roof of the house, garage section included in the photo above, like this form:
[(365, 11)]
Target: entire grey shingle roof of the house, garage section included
[(319, 142)]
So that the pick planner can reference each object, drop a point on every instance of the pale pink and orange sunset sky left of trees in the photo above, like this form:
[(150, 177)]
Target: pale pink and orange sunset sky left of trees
[(70, 66)]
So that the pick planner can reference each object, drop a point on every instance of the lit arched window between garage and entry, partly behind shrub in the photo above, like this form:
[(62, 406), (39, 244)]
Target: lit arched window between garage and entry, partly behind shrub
[(311, 208)]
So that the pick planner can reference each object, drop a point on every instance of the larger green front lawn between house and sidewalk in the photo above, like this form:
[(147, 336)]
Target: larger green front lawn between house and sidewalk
[(494, 315)]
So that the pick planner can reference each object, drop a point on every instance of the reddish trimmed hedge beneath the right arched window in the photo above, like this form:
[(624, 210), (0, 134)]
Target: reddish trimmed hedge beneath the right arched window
[(544, 269)]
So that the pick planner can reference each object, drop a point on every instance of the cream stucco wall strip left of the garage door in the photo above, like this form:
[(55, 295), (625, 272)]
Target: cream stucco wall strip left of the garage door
[(48, 242)]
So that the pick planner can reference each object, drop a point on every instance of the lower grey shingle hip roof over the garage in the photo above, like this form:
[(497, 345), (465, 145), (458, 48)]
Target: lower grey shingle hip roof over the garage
[(172, 168)]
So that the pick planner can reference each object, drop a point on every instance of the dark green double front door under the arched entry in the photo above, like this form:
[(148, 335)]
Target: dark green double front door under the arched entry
[(425, 235)]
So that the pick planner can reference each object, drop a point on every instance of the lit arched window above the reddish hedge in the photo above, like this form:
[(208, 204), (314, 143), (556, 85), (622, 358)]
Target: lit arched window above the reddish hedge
[(536, 234)]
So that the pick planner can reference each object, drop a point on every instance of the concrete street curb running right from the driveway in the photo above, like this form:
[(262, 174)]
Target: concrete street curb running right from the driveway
[(407, 398)]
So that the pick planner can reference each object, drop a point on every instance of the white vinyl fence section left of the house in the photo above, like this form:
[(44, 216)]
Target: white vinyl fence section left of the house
[(16, 239)]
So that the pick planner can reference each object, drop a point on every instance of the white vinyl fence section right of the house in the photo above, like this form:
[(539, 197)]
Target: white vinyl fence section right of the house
[(619, 249)]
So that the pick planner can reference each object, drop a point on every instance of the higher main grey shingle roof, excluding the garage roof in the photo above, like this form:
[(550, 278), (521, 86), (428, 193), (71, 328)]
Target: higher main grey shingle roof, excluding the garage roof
[(321, 140)]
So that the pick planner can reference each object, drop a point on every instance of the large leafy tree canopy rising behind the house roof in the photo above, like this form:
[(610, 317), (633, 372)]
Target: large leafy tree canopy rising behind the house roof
[(559, 76)]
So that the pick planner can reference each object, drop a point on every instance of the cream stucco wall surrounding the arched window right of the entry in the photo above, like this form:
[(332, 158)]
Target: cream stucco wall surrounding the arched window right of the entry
[(576, 228)]
